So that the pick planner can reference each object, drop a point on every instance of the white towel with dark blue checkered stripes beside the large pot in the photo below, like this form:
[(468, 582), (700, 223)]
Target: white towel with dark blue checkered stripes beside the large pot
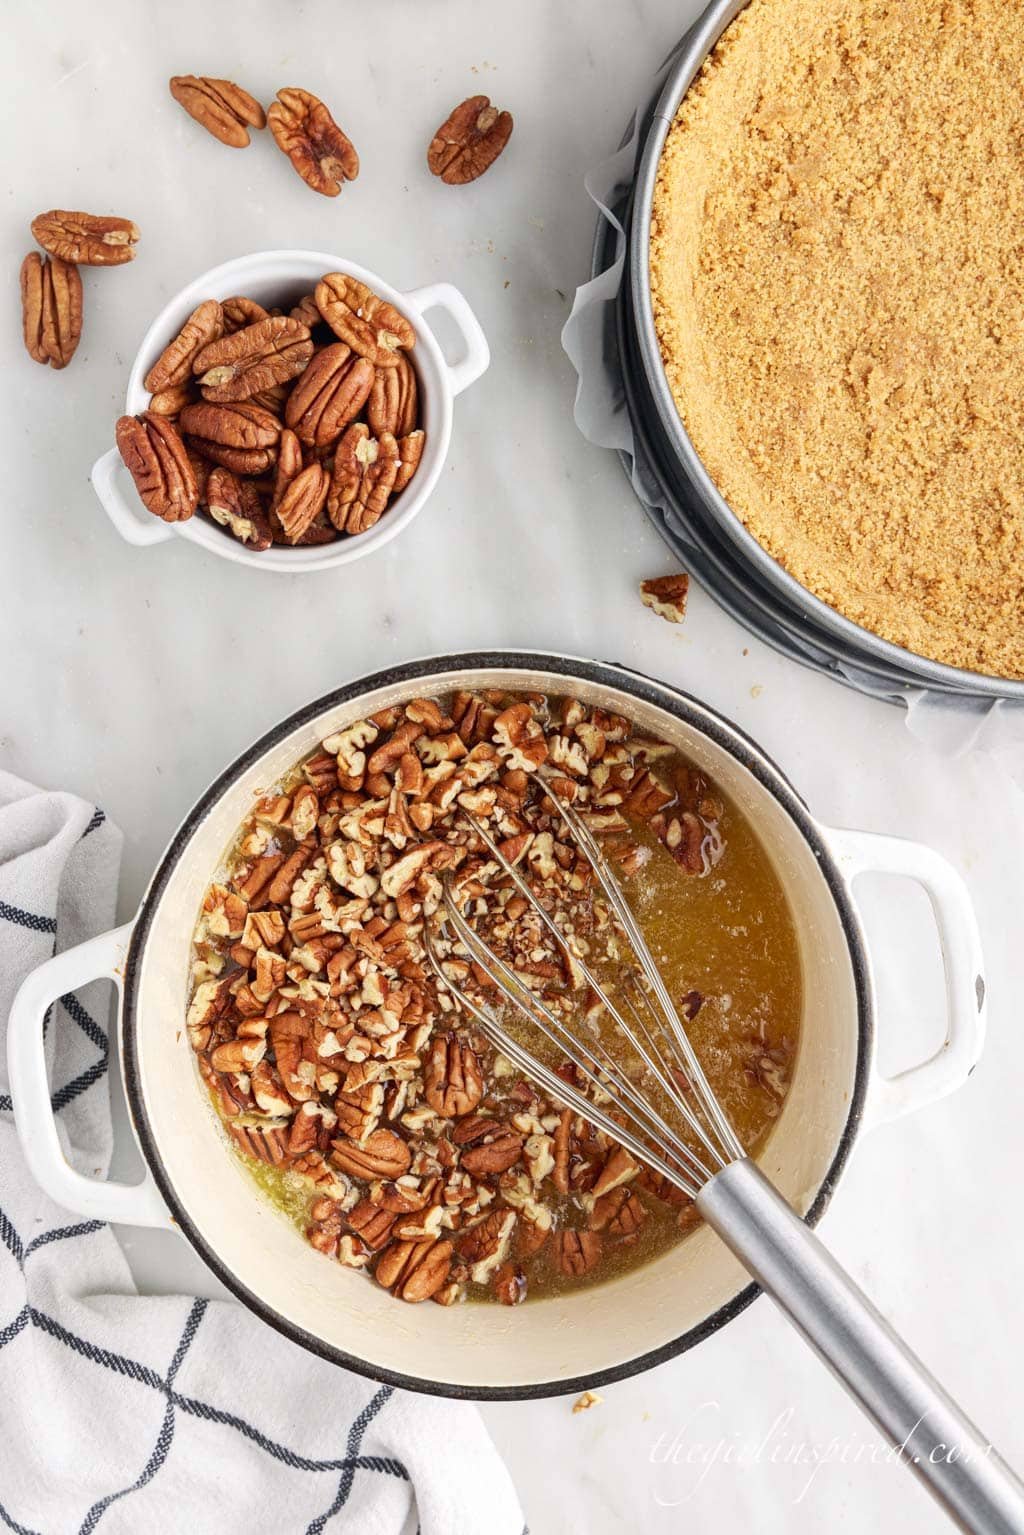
[(173, 1415)]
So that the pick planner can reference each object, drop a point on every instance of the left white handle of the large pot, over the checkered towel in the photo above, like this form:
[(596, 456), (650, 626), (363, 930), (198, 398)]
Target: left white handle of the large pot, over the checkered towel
[(125, 1204)]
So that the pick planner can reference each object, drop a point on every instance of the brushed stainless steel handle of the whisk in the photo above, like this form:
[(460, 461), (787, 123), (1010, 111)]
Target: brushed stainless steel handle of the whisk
[(903, 1399)]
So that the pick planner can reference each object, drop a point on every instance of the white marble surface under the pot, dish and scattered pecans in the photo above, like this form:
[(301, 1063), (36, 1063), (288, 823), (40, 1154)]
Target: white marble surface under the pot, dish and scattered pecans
[(134, 676)]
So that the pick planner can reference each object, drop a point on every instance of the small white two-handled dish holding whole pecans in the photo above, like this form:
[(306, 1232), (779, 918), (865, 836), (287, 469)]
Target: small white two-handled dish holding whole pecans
[(277, 280)]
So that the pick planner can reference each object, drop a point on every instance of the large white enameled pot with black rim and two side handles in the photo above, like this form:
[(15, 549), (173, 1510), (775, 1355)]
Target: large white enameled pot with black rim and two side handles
[(550, 1345)]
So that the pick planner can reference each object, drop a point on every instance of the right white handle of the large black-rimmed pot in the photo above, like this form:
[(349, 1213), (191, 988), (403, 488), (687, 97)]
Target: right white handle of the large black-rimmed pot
[(963, 966)]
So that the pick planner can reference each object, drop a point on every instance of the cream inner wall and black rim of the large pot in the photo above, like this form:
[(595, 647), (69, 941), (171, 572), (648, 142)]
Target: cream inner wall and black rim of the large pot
[(481, 1347)]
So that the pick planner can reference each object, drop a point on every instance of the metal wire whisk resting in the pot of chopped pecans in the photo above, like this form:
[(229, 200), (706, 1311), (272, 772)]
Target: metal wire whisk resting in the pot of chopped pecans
[(676, 1126)]
